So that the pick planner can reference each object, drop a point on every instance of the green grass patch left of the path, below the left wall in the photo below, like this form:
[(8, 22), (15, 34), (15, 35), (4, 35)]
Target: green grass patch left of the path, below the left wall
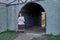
[(8, 35)]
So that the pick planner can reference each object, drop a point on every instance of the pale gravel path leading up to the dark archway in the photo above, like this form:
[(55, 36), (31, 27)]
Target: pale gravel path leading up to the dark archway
[(29, 36)]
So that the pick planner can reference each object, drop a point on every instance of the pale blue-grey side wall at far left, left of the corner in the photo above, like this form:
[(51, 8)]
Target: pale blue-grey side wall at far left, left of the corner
[(3, 17)]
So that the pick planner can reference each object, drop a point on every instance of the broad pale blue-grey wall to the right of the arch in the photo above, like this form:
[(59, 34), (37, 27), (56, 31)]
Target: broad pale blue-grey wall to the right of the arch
[(52, 8)]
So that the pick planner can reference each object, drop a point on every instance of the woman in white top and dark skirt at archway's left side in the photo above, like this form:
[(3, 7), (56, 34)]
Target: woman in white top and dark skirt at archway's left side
[(21, 20)]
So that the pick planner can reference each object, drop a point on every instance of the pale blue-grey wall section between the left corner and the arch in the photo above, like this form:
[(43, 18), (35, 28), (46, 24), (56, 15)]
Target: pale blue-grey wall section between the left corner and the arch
[(13, 16)]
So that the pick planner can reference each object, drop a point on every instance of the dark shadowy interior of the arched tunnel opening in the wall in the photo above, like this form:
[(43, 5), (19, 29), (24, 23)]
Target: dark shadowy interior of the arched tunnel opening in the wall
[(33, 15)]
